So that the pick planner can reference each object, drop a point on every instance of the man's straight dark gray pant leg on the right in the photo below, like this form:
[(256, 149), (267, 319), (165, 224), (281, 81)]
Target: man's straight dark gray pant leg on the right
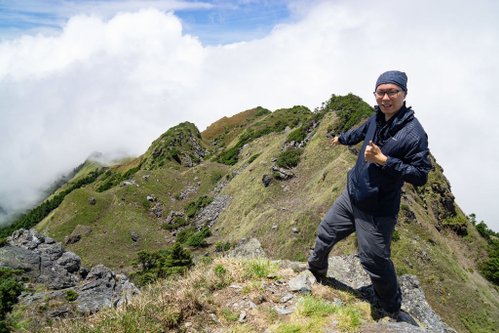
[(374, 235)]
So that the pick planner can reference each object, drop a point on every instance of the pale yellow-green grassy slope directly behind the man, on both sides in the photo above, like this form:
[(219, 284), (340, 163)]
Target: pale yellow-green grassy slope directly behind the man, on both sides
[(444, 263)]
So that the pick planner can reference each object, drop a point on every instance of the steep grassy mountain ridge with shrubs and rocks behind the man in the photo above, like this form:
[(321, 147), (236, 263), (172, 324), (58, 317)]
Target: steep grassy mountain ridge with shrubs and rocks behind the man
[(271, 176)]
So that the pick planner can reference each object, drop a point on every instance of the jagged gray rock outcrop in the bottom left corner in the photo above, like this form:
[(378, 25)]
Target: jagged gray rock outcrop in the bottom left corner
[(45, 262)]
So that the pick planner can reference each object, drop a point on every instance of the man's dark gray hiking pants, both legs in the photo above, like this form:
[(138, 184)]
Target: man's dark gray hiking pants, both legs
[(374, 235)]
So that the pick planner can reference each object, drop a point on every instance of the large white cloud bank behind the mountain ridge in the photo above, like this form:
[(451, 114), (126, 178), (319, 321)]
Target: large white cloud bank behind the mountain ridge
[(115, 84)]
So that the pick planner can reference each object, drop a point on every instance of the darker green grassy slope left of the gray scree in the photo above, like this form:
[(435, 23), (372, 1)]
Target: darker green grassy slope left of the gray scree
[(124, 209)]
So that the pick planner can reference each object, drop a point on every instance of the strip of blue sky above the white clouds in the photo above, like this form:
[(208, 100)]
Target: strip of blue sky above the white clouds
[(213, 21)]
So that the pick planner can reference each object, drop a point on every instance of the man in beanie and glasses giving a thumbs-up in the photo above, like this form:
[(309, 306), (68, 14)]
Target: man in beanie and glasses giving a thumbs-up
[(395, 150)]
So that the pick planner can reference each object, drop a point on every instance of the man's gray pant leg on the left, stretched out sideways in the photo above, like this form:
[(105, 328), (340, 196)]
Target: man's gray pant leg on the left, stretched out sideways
[(337, 224)]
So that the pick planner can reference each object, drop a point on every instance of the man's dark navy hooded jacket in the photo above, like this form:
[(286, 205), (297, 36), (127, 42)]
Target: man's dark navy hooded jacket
[(377, 189)]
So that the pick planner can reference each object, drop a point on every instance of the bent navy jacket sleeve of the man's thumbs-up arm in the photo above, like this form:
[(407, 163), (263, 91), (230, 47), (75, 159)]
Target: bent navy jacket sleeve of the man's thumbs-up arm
[(414, 166)]
